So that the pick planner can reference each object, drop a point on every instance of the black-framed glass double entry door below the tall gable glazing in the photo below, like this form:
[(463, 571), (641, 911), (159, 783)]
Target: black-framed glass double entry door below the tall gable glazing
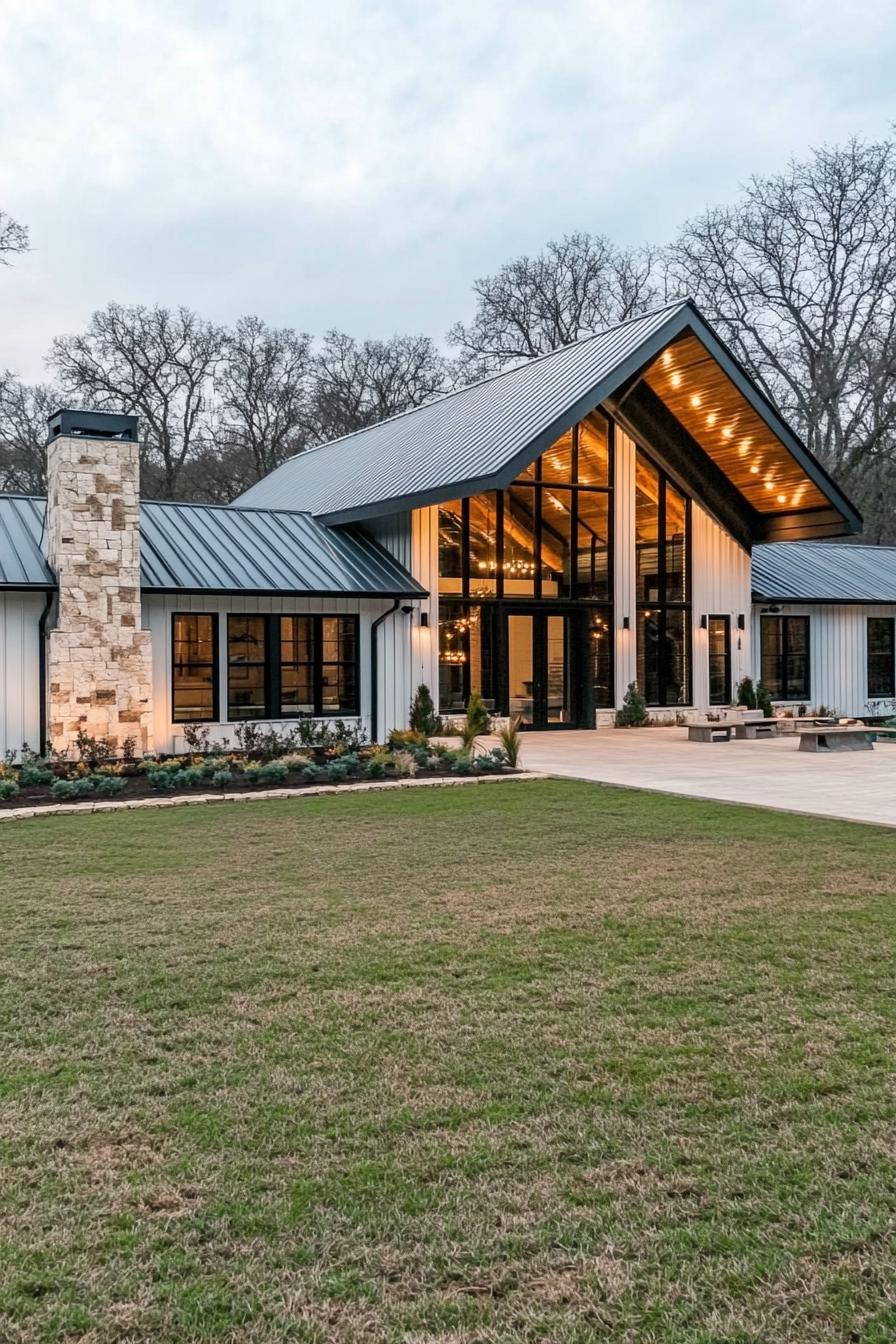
[(539, 682)]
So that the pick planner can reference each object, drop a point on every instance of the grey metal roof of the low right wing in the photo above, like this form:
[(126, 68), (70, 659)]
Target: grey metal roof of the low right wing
[(815, 572)]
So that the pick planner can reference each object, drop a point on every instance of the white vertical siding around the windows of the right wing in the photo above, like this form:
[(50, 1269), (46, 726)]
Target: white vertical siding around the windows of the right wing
[(838, 655)]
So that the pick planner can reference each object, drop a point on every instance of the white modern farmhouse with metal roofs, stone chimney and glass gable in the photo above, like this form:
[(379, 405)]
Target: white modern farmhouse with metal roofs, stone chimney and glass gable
[(545, 537)]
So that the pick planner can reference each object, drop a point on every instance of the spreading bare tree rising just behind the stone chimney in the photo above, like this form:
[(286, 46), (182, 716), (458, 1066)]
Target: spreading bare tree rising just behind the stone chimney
[(156, 362)]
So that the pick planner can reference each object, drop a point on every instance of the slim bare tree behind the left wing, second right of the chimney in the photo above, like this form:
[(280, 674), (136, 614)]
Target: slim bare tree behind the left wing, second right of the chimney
[(264, 389)]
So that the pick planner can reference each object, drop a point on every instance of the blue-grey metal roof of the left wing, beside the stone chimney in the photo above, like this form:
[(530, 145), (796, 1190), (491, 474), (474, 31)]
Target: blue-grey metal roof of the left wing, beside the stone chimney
[(221, 549)]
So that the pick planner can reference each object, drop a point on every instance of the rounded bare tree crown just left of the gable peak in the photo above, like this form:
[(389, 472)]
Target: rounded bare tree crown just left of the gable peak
[(572, 290)]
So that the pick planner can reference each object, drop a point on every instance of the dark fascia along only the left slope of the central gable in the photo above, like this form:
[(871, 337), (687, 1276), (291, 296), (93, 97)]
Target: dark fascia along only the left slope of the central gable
[(639, 360)]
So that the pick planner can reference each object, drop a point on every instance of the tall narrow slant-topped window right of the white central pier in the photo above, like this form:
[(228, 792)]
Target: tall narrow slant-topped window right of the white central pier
[(663, 577)]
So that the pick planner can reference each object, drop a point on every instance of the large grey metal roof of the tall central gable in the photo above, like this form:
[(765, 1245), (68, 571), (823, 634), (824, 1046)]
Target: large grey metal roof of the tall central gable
[(482, 436)]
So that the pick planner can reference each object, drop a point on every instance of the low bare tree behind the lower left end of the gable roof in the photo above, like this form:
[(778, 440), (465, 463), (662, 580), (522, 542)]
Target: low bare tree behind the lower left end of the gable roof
[(358, 384)]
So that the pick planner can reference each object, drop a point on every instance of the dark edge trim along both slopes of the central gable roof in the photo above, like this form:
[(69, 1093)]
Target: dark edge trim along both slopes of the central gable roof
[(683, 321)]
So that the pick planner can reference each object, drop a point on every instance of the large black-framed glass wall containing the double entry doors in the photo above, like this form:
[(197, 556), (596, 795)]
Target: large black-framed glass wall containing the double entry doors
[(545, 545)]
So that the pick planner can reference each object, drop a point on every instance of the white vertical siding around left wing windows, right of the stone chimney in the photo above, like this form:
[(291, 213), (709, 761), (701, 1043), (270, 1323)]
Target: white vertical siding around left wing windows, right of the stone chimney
[(159, 610)]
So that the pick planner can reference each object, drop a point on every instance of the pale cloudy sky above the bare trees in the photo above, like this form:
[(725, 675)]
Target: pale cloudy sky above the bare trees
[(357, 165)]
